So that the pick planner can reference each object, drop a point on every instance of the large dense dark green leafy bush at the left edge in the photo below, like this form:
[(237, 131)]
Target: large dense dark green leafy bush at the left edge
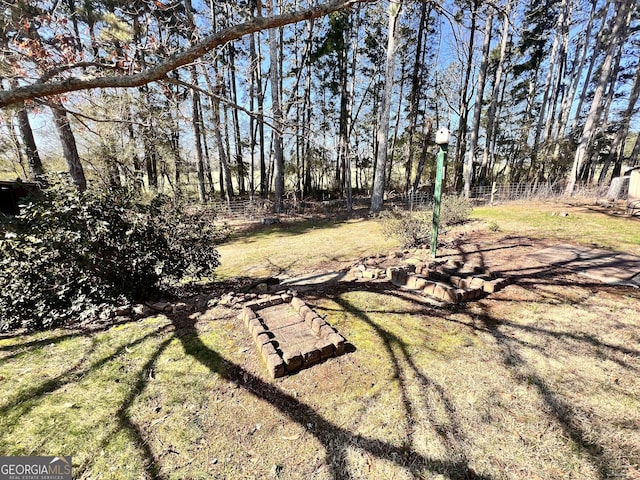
[(67, 252)]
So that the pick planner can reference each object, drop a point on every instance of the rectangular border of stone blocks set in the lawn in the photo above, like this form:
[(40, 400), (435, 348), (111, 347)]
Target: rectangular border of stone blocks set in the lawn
[(330, 343)]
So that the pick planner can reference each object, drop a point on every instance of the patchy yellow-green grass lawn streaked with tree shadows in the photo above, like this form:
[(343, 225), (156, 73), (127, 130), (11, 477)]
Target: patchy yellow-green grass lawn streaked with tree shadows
[(538, 381)]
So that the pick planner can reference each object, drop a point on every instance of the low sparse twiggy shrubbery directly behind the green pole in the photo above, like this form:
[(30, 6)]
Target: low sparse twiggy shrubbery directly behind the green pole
[(414, 229)]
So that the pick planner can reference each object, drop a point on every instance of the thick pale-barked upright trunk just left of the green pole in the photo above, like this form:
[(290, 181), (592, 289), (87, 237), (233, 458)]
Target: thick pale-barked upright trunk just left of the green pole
[(382, 135)]
